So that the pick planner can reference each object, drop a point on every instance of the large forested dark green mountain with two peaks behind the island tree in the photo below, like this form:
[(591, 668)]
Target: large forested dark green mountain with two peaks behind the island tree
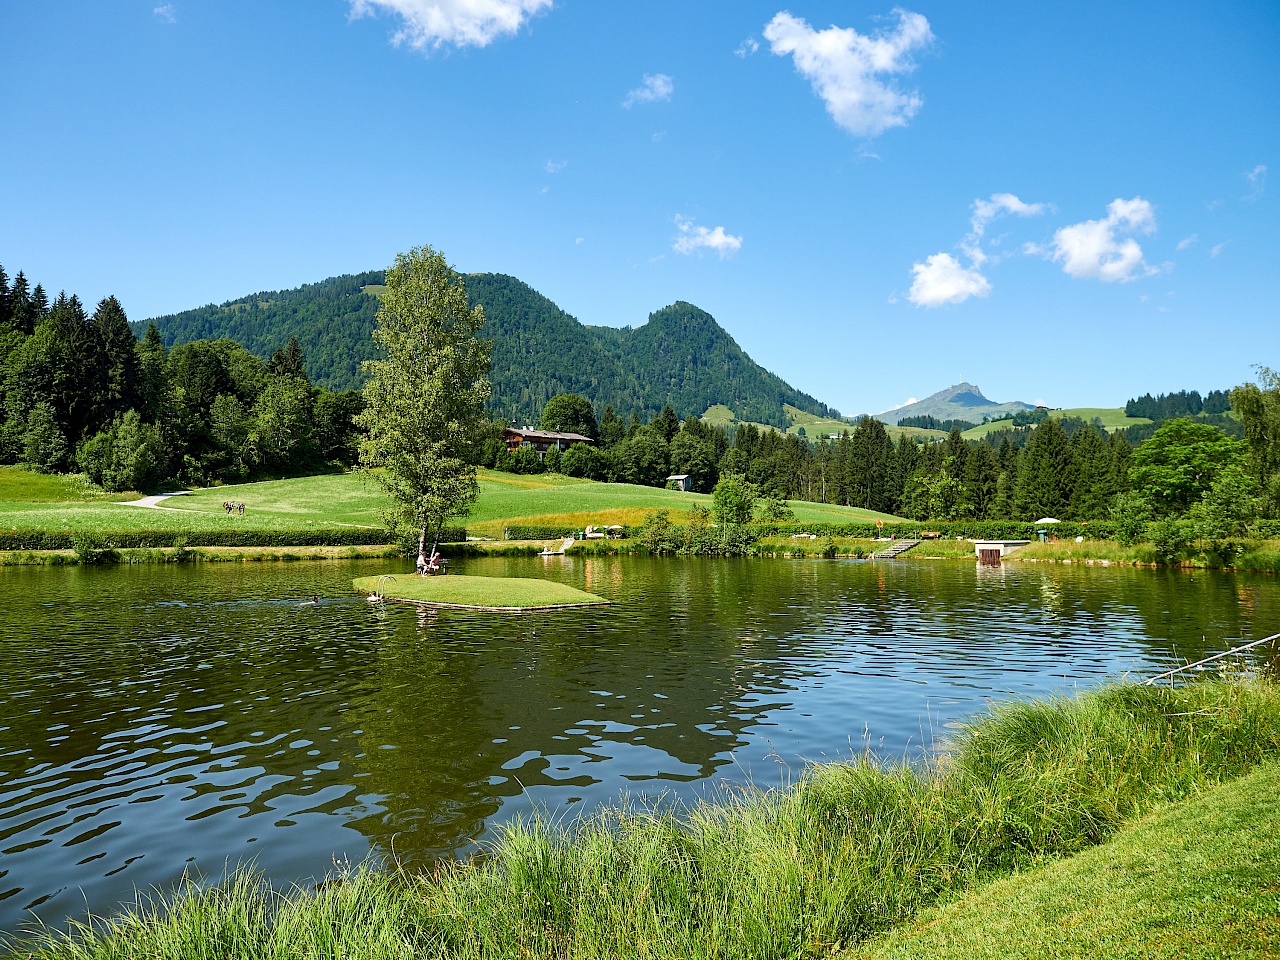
[(680, 358)]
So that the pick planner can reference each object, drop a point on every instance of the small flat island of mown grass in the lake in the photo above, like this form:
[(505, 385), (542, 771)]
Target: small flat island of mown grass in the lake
[(502, 595)]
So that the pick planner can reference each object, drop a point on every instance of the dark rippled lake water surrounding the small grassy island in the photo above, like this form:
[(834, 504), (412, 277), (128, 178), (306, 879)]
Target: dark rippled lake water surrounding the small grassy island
[(166, 719)]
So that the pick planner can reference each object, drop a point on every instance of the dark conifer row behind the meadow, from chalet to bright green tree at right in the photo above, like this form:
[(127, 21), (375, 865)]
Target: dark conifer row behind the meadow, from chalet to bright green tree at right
[(1053, 473)]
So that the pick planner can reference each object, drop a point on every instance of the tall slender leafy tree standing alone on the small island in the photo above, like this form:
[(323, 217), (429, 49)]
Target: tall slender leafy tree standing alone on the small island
[(424, 400)]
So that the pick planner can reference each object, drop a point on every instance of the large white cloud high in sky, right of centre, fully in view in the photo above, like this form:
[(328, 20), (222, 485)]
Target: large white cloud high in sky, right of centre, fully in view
[(848, 70)]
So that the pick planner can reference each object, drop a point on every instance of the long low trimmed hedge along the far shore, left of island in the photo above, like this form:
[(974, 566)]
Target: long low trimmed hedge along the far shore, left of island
[(125, 540)]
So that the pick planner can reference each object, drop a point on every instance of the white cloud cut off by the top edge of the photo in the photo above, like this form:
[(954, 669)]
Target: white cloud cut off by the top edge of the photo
[(429, 25)]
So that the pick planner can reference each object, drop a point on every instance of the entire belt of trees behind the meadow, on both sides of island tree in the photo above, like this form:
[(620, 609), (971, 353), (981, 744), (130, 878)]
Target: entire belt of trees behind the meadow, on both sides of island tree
[(81, 392)]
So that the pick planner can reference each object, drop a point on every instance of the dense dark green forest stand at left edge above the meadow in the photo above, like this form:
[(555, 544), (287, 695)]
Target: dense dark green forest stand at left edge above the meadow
[(81, 392)]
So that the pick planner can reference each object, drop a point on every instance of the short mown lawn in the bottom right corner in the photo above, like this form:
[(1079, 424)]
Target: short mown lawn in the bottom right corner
[(1196, 880)]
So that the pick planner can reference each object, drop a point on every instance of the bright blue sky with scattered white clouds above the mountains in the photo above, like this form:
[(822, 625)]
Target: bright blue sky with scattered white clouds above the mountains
[(1066, 204)]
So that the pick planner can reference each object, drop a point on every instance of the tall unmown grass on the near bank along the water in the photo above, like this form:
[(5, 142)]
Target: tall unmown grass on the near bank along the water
[(845, 854)]
